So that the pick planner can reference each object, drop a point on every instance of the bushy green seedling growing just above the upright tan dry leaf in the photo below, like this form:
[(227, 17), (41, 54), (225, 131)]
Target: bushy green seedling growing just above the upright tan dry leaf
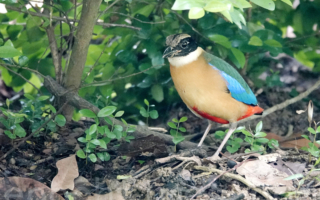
[(99, 136)]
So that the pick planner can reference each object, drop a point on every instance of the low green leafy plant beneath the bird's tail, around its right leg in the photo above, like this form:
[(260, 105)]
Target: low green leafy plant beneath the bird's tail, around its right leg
[(256, 140)]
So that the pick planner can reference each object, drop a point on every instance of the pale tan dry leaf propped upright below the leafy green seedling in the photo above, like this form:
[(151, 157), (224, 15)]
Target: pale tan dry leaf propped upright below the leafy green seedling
[(67, 172)]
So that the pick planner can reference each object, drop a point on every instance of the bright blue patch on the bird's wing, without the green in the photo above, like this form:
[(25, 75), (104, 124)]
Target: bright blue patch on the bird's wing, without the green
[(236, 89)]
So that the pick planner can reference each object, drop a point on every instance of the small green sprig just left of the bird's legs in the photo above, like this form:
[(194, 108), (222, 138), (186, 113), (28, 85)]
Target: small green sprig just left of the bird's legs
[(176, 128)]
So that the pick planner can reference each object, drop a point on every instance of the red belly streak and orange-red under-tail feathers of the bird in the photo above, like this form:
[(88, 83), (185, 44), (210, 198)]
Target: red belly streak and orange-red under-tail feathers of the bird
[(251, 111)]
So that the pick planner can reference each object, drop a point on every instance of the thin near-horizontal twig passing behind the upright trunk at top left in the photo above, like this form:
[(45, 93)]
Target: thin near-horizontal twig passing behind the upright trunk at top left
[(71, 20)]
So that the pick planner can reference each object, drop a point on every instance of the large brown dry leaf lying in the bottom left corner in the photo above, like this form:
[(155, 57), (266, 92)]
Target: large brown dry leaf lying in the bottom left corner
[(19, 188)]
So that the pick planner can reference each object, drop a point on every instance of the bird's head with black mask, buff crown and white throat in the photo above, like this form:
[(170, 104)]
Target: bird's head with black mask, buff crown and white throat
[(182, 49)]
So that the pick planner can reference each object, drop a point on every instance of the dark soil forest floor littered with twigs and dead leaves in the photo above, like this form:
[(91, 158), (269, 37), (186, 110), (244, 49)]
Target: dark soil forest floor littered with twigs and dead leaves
[(158, 172)]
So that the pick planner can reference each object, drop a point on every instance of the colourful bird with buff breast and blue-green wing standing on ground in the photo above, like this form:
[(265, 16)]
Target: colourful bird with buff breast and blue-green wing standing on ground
[(209, 86)]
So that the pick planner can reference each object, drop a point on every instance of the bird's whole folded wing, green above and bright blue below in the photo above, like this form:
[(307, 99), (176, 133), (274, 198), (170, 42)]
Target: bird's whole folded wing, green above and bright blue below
[(237, 86)]
